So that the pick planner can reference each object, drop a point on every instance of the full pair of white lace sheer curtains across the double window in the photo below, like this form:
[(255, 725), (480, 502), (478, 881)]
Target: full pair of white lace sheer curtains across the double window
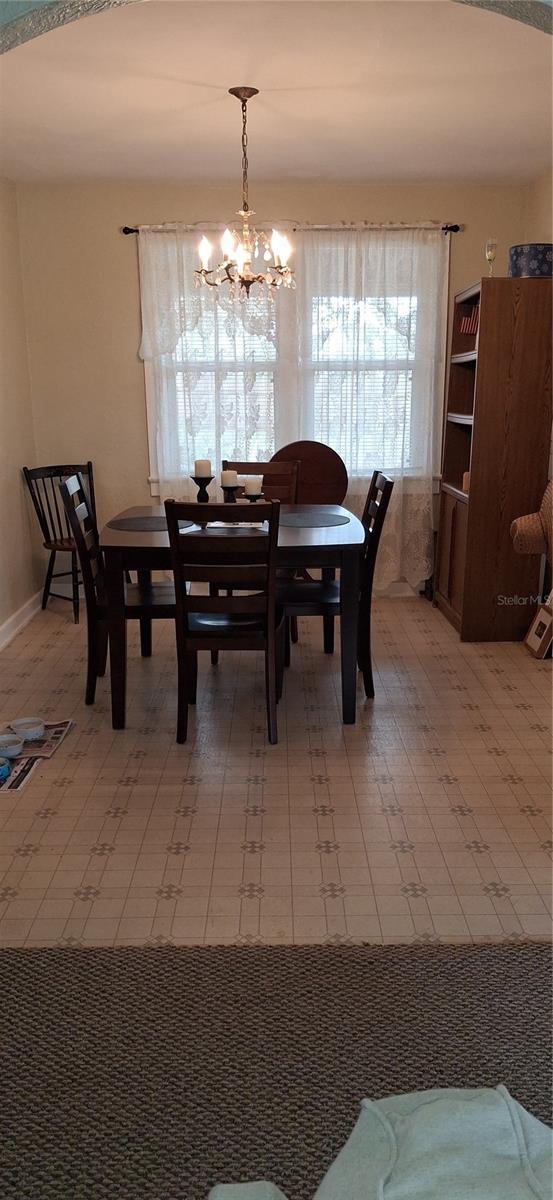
[(353, 358)]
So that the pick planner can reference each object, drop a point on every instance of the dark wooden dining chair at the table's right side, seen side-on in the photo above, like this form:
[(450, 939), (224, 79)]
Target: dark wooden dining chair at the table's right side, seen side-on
[(315, 598)]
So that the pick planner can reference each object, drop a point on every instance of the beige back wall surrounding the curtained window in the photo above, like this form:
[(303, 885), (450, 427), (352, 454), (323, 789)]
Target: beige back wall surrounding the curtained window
[(82, 301)]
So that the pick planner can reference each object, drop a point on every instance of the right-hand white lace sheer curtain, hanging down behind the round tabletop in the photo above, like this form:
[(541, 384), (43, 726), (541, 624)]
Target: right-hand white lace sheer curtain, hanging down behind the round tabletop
[(372, 325)]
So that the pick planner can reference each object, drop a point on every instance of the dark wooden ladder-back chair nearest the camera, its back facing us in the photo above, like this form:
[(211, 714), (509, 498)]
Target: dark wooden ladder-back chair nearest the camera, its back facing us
[(232, 557)]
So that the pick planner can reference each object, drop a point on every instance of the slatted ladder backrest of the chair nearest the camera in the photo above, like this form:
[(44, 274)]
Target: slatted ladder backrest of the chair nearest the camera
[(237, 556)]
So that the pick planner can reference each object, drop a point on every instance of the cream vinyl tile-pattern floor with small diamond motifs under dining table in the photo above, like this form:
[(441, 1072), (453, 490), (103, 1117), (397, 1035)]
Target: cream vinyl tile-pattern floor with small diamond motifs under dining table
[(428, 821)]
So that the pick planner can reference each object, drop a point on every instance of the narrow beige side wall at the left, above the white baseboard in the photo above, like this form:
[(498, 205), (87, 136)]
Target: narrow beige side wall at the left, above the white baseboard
[(20, 577)]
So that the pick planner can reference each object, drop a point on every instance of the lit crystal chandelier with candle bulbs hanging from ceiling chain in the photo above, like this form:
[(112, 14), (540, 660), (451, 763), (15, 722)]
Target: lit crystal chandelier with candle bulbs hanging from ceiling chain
[(242, 249)]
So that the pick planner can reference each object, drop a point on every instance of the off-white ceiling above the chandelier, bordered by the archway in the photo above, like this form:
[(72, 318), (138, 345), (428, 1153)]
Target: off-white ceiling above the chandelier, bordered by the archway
[(381, 91)]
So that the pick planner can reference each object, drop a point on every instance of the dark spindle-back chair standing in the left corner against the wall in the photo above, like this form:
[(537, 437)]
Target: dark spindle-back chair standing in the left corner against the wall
[(44, 484)]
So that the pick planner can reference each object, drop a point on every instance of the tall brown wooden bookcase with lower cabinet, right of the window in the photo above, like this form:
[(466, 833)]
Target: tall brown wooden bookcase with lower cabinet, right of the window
[(497, 428)]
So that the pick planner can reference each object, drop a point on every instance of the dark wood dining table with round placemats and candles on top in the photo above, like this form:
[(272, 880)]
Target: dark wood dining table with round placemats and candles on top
[(300, 545)]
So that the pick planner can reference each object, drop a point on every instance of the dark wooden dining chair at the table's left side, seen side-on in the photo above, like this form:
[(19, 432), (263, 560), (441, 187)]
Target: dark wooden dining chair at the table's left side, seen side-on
[(143, 602)]
